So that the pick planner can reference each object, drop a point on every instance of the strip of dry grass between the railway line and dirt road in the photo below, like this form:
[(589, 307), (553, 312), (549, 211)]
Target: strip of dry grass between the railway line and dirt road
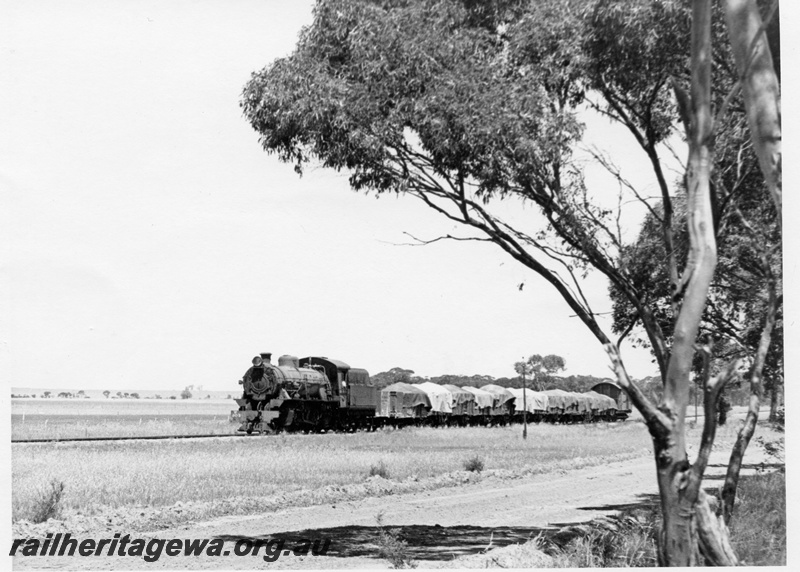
[(161, 473)]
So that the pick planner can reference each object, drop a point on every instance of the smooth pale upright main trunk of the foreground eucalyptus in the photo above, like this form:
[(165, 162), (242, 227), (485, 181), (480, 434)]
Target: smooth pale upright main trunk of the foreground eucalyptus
[(678, 482)]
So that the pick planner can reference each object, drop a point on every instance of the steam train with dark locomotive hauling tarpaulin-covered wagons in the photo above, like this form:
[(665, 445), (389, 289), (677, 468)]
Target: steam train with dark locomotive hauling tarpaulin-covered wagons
[(321, 394)]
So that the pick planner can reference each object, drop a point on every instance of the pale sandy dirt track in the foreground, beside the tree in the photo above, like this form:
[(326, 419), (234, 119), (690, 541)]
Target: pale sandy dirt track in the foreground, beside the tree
[(439, 525)]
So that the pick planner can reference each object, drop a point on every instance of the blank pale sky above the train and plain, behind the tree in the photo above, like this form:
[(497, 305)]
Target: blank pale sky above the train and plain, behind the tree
[(148, 242)]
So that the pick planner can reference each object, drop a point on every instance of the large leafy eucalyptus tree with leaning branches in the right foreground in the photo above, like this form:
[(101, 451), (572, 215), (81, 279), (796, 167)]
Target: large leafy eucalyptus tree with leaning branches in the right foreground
[(466, 104)]
